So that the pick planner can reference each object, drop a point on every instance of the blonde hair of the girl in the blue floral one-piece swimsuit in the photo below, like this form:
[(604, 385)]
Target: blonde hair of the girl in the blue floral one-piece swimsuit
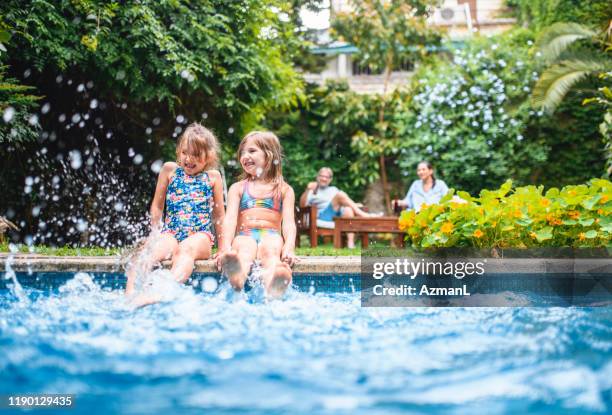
[(199, 140)]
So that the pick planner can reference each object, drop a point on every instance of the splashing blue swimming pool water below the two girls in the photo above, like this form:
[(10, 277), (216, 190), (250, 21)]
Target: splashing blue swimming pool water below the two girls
[(316, 352)]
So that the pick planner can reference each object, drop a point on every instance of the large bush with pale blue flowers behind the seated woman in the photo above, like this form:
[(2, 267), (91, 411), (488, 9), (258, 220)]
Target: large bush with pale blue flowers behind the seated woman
[(472, 118)]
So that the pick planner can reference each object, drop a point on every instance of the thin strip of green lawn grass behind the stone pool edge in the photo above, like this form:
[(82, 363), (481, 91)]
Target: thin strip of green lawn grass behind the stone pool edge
[(321, 250)]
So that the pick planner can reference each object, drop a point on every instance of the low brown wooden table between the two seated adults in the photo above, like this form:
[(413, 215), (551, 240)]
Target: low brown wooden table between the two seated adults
[(381, 224)]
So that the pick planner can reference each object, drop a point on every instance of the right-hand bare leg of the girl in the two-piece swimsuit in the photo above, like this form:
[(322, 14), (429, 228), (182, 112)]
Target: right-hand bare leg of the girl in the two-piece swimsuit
[(276, 274)]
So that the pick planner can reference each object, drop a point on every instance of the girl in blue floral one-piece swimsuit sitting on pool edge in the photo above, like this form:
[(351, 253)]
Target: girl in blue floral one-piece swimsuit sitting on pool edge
[(192, 193)]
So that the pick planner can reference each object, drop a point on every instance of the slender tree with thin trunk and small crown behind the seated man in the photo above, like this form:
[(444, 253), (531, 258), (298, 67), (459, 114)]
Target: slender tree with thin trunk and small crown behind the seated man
[(386, 34)]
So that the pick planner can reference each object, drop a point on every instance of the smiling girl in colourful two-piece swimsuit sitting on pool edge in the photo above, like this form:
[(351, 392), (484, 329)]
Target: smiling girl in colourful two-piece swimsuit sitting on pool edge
[(260, 220)]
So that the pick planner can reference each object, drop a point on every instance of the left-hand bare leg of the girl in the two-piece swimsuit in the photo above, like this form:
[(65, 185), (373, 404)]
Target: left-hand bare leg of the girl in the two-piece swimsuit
[(236, 264)]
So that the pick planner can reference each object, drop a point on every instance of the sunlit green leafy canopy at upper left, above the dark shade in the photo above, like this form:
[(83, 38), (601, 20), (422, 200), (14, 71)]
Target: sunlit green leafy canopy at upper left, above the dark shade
[(162, 58)]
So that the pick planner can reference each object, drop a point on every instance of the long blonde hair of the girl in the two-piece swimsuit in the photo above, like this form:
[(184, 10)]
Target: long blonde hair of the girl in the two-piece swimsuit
[(268, 142)]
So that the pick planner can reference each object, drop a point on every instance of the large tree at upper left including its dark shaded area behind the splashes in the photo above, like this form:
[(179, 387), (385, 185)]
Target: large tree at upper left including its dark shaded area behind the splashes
[(120, 82)]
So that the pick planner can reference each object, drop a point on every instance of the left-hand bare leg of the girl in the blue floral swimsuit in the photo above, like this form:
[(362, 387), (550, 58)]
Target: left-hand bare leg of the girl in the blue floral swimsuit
[(155, 250)]
